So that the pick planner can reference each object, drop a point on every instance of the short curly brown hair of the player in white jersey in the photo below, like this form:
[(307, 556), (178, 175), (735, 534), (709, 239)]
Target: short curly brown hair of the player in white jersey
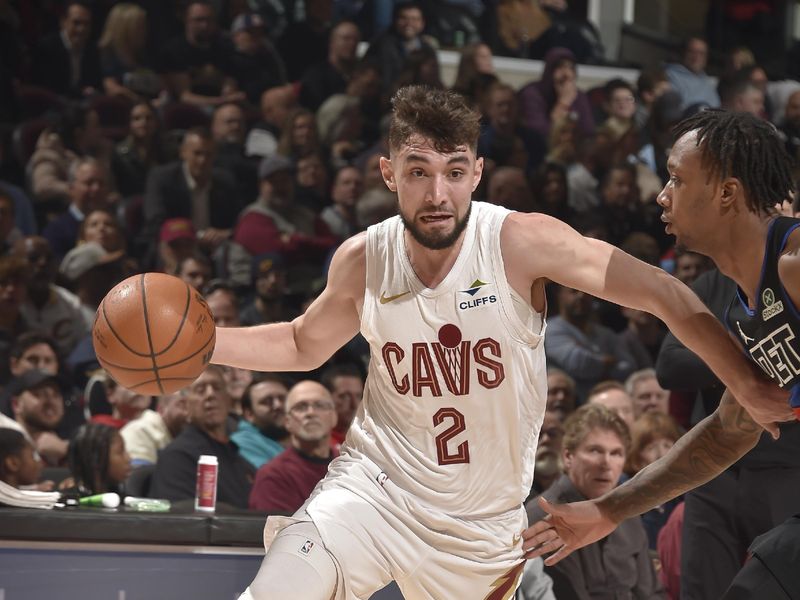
[(440, 116)]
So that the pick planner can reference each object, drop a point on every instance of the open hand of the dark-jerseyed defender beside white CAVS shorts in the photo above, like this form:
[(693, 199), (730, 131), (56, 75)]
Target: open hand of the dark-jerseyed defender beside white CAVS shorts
[(566, 528)]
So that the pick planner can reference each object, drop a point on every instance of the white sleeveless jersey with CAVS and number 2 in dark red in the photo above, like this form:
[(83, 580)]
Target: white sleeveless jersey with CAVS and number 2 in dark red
[(456, 390)]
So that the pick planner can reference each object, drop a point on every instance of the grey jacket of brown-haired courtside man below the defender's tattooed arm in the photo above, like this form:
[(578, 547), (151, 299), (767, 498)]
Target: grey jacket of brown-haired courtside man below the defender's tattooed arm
[(618, 567)]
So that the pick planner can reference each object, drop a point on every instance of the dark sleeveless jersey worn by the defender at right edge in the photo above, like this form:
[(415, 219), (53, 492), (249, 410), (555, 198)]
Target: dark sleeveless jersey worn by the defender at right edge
[(769, 331)]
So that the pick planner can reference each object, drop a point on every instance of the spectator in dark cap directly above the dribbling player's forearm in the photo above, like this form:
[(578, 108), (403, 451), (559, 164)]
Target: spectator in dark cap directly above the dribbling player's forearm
[(269, 282)]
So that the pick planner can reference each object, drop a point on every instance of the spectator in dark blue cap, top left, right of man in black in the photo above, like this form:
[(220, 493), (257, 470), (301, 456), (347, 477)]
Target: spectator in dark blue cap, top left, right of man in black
[(255, 63)]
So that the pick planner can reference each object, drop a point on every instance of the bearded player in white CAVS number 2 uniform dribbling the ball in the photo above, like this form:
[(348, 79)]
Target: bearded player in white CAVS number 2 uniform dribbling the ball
[(429, 488)]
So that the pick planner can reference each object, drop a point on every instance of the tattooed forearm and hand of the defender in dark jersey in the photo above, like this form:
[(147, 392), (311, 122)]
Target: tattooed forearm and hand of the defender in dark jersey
[(703, 453)]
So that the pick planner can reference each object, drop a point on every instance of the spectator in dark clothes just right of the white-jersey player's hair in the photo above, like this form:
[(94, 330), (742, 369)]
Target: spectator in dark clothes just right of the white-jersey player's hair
[(503, 141)]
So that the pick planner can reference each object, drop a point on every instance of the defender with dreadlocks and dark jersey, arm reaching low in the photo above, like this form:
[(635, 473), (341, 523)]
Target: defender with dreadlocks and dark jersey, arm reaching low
[(728, 172)]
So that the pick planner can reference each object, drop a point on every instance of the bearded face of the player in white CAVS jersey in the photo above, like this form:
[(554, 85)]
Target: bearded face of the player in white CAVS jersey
[(434, 190)]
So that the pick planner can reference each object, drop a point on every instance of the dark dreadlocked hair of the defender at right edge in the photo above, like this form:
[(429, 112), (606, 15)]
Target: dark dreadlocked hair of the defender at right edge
[(743, 146)]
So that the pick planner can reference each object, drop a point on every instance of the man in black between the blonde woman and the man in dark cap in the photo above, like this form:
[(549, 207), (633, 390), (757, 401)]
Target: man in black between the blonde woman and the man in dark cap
[(197, 64)]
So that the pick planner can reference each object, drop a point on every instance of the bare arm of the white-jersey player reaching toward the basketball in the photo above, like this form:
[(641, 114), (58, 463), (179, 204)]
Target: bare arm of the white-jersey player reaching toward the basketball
[(308, 341)]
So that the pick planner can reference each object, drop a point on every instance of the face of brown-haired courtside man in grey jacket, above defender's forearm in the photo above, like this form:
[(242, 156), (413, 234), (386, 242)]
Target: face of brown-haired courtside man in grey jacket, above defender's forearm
[(595, 466)]
